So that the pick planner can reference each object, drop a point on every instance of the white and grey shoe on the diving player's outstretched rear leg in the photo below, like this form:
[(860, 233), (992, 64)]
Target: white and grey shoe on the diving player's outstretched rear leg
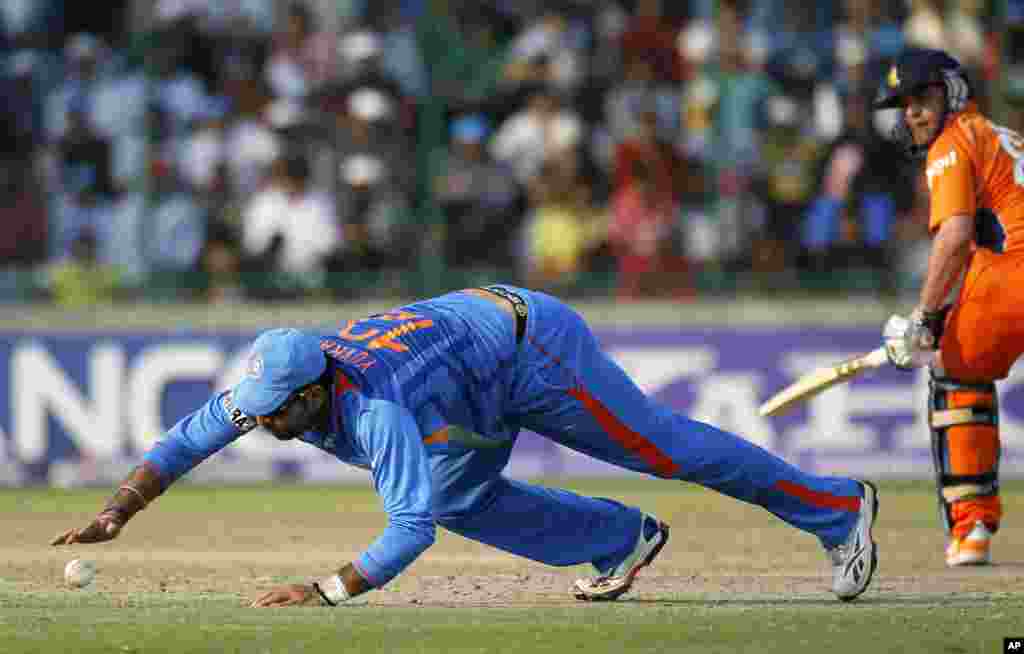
[(855, 561)]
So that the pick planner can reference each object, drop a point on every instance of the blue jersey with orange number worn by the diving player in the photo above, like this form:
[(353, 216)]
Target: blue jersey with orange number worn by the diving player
[(430, 374)]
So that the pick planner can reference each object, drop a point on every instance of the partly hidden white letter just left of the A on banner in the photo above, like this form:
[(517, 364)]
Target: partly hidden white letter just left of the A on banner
[(654, 369)]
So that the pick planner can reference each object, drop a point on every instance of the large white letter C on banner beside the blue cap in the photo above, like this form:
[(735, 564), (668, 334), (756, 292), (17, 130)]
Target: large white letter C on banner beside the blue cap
[(154, 370)]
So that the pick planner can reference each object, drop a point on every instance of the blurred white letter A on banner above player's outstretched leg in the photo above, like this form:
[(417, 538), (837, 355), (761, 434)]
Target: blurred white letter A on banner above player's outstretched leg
[(731, 403)]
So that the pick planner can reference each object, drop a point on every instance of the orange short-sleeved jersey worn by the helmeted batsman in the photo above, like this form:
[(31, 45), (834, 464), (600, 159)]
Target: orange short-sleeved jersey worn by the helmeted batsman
[(976, 168)]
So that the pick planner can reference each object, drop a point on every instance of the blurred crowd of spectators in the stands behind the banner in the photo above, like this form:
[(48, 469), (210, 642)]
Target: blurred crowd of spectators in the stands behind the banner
[(230, 150)]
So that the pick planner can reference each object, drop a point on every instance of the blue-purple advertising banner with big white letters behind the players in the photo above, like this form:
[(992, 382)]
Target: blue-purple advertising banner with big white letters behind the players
[(80, 408)]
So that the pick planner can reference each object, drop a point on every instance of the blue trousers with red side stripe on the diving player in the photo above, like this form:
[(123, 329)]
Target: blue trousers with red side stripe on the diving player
[(566, 388)]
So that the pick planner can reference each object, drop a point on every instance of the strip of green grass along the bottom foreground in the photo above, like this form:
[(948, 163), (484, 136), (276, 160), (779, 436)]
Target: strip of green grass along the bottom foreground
[(161, 624)]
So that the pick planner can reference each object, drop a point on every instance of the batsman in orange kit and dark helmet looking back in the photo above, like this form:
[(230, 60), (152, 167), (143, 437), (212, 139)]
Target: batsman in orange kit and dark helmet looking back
[(975, 176)]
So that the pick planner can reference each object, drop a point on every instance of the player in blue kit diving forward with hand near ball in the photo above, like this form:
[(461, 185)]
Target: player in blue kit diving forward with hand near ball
[(431, 399)]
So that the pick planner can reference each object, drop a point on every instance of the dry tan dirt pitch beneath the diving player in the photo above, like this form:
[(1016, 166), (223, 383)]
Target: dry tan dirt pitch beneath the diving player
[(720, 551)]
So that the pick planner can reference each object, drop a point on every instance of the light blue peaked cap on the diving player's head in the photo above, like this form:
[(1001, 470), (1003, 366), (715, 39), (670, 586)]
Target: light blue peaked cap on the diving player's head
[(281, 363)]
